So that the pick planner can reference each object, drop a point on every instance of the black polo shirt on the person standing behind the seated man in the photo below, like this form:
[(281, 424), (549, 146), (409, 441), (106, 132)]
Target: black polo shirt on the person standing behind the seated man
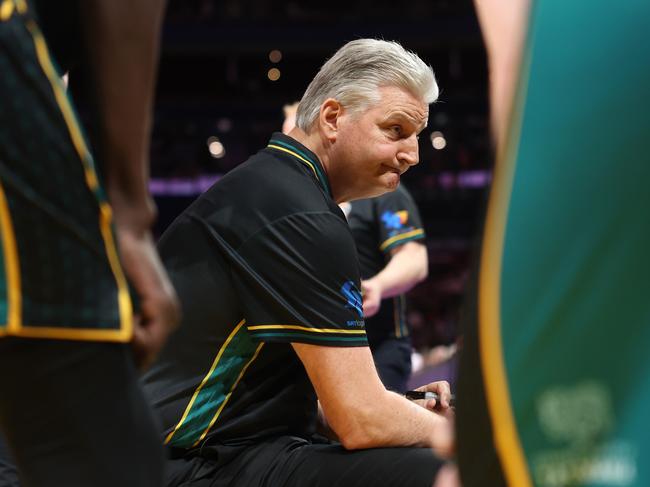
[(379, 225)]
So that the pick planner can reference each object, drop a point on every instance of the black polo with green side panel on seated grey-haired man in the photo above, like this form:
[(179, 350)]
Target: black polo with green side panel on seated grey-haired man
[(262, 259)]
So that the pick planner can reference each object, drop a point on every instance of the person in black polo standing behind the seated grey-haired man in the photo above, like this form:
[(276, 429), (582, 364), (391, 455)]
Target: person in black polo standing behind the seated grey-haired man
[(389, 238)]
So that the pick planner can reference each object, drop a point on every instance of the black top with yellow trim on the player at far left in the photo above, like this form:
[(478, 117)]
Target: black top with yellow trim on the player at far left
[(60, 275)]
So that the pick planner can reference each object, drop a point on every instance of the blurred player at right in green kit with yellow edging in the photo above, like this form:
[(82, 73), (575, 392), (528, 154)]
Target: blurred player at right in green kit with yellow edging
[(553, 387)]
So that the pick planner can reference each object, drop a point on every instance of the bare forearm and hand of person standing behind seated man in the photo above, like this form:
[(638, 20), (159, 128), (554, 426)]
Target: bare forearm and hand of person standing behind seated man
[(408, 265)]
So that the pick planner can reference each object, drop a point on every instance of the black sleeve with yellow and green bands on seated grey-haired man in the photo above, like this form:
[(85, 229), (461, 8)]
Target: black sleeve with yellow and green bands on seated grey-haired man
[(304, 284)]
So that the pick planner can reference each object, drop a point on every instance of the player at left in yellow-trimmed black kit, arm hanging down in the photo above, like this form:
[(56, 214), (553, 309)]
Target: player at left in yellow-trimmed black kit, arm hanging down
[(75, 242)]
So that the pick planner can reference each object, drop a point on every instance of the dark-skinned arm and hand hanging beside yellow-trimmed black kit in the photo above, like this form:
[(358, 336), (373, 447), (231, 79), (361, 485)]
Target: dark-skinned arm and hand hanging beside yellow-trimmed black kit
[(122, 39)]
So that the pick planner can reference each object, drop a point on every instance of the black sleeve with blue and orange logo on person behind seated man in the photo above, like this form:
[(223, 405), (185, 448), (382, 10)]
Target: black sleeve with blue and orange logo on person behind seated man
[(399, 220)]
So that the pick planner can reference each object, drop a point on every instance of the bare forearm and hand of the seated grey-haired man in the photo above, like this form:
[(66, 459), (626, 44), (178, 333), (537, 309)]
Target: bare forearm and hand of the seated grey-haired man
[(362, 413)]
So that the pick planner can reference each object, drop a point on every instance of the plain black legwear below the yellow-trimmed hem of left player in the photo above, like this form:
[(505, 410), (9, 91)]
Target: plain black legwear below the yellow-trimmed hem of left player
[(74, 415)]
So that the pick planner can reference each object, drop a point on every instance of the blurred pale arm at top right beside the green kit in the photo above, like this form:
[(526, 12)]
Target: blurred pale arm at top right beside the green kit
[(503, 23)]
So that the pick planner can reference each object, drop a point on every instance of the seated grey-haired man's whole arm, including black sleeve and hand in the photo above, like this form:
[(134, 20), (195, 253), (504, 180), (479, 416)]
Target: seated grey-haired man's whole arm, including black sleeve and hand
[(316, 310)]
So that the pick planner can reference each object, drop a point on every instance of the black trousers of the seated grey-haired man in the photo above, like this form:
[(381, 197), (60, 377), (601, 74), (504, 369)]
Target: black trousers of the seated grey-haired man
[(296, 462)]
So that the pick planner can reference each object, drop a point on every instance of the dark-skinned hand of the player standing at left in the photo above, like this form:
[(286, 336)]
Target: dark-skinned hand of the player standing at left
[(159, 309)]
